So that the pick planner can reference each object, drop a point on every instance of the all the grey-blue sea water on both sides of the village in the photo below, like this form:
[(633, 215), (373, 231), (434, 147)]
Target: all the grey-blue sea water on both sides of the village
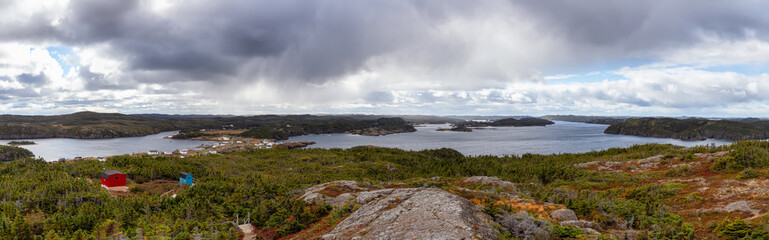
[(562, 137)]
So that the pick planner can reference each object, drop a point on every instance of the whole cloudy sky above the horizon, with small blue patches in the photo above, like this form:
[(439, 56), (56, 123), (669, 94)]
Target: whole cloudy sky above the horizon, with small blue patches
[(431, 57)]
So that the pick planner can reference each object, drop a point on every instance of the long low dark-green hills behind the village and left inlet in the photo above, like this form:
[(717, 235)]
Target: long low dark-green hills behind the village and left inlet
[(92, 125)]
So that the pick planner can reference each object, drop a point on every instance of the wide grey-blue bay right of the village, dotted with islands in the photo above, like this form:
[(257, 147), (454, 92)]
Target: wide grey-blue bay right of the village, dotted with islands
[(562, 137)]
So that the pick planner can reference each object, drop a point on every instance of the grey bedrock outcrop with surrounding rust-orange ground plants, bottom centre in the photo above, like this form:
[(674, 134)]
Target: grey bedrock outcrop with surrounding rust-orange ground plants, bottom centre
[(469, 208)]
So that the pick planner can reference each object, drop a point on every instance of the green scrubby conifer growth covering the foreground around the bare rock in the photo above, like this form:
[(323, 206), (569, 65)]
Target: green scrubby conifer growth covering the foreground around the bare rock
[(63, 200)]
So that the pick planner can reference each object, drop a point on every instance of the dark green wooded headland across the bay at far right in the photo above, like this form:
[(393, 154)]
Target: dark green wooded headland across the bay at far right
[(691, 129)]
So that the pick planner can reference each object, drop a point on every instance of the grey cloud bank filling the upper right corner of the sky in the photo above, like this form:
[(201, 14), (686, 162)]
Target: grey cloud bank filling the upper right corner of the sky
[(639, 25)]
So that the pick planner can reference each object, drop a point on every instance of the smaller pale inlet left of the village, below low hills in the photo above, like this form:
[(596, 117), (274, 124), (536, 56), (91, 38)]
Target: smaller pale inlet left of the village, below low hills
[(54, 148)]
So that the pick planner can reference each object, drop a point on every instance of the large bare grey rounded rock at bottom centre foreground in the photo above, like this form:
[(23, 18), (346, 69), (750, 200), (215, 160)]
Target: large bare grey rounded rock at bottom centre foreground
[(415, 213)]
